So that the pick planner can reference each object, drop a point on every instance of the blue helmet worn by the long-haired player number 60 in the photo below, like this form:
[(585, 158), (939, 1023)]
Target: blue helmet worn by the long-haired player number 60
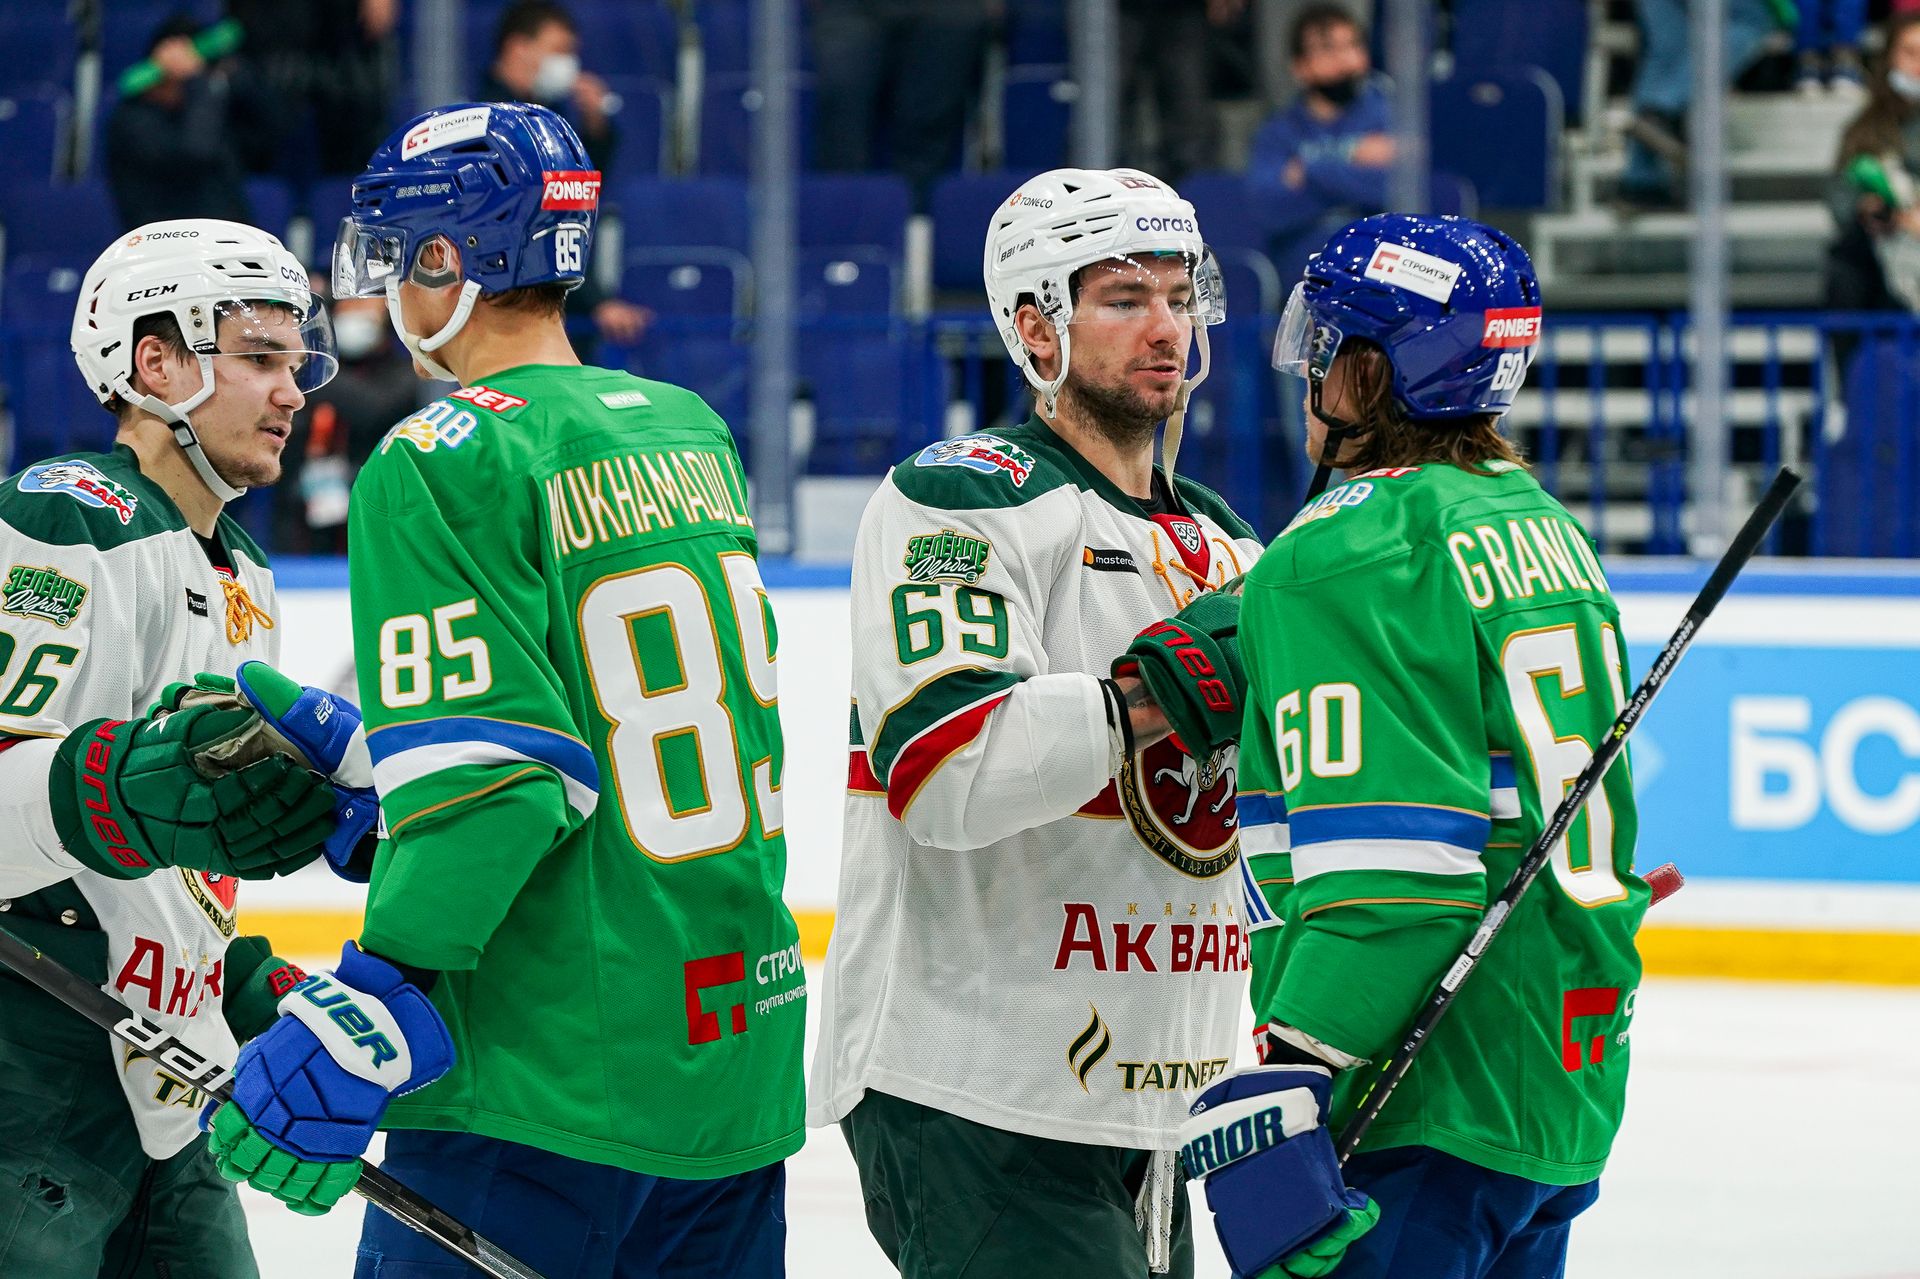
[(1452, 302)]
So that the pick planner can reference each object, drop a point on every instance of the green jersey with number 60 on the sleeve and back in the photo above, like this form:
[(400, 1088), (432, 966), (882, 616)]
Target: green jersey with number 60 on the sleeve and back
[(1433, 656)]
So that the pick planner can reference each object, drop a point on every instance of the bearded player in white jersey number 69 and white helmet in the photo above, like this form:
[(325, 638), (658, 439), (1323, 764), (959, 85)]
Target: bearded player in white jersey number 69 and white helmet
[(1040, 948)]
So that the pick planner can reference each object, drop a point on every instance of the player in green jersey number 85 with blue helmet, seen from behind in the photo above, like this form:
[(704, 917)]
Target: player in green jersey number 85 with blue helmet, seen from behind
[(567, 664)]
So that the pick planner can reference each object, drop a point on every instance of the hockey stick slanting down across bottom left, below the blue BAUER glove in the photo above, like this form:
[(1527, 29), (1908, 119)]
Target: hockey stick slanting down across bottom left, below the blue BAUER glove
[(216, 1080)]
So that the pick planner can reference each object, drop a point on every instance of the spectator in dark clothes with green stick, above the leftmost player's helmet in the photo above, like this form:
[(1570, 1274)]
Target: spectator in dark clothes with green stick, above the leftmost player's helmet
[(172, 151)]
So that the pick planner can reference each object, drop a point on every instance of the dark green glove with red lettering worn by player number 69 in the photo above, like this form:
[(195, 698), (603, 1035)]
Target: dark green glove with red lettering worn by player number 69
[(1191, 665)]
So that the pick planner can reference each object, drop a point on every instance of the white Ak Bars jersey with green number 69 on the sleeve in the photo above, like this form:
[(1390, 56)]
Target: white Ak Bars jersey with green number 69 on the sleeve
[(1032, 934)]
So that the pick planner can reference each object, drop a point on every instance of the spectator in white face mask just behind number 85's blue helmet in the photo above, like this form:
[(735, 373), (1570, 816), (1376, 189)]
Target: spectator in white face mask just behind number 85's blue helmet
[(537, 59)]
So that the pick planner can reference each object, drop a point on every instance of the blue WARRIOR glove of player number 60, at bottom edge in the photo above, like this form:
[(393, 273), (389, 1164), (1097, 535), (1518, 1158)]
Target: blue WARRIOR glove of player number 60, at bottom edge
[(1260, 1142)]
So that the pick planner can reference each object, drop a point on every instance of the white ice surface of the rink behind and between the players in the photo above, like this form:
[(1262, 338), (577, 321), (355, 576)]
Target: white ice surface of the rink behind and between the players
[(1773, 1132)]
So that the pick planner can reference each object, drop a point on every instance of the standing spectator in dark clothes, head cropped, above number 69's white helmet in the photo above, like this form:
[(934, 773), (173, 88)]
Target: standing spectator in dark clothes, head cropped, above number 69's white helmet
[(1164, 57)]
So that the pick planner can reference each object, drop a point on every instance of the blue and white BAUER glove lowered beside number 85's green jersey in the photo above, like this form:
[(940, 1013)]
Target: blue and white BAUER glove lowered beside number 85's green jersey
[(316, 1084)]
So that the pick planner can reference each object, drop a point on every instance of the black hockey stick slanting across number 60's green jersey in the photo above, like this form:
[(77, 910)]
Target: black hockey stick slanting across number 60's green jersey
[(1596, 767)]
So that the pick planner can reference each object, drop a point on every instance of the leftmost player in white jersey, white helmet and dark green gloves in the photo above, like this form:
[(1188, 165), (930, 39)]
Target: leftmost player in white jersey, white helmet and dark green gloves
[(122, 573)]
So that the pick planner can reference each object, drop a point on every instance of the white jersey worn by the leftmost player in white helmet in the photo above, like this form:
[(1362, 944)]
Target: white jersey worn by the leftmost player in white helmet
[(108, 598)]
